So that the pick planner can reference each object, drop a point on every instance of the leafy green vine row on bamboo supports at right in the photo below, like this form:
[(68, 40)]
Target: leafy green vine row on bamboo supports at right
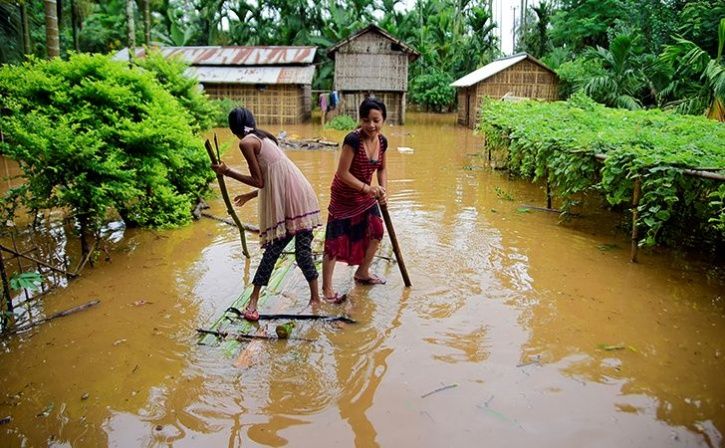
[(560, 141)]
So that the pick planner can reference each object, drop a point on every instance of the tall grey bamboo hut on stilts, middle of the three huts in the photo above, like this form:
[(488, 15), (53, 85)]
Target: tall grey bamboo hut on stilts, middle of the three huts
[(372, 62)]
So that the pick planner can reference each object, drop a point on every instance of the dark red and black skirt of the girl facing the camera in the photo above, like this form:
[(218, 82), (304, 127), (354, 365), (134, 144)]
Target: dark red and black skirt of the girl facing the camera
[(348, 239)]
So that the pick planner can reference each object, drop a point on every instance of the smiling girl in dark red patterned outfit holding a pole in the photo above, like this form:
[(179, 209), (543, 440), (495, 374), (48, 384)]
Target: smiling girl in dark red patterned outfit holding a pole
[(354, 226)]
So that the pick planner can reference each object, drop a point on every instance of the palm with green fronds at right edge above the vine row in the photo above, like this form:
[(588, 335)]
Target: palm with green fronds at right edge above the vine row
[(698, 81)]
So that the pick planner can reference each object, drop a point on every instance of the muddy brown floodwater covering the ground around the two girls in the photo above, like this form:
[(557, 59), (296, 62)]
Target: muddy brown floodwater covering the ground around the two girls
[(518, 330)]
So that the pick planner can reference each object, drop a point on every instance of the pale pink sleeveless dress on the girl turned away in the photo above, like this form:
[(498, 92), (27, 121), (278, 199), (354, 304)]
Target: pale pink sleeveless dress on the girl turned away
[(287, 202)]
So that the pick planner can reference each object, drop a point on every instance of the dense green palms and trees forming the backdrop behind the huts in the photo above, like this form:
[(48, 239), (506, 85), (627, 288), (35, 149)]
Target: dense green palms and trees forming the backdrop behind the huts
[(623, 53)]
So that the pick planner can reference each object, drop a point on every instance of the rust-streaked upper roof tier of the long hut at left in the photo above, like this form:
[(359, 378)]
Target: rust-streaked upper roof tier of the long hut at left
[(234, 56)]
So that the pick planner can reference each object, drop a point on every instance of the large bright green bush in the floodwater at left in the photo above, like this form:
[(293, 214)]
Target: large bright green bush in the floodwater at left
[(92, 135)]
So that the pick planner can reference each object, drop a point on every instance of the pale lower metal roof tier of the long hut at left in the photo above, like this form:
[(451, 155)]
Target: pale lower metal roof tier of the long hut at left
[(253, 75)]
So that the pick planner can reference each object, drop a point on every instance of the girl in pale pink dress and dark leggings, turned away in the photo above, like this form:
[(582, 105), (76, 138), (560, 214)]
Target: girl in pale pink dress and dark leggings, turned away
[(288, 205)]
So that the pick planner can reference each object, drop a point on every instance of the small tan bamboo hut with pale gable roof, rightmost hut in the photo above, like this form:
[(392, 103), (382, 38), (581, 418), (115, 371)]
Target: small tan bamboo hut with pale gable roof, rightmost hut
[(519, 75)]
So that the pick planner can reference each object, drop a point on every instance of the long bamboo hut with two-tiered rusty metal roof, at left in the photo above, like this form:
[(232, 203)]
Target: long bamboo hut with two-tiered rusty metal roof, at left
[(273, 82)]
